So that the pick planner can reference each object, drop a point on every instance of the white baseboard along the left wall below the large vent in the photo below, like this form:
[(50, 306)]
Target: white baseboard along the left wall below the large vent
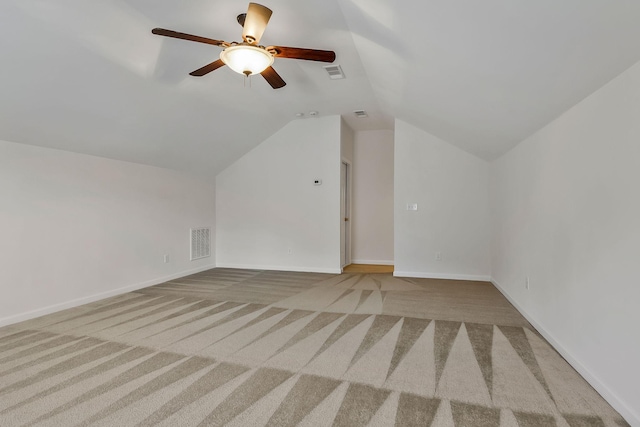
[(96, 297)]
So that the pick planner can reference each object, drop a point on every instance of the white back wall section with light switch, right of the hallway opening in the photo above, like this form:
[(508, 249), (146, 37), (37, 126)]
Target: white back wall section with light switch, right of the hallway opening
[(451, 189)]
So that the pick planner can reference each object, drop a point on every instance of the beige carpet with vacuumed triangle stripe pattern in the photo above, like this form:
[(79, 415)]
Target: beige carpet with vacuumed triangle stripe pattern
[(251, 348)]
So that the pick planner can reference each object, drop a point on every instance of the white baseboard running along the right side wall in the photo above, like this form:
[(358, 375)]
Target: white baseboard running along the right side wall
[(629, 415)]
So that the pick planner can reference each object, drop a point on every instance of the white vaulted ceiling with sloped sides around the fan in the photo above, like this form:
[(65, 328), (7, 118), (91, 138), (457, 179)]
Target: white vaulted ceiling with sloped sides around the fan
[(90, 77)]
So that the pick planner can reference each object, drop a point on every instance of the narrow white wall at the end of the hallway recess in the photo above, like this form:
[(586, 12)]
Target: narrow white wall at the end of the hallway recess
[(372, 213)]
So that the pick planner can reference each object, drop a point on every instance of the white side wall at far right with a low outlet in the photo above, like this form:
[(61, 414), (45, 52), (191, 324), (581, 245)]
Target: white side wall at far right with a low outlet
[(566, 213)]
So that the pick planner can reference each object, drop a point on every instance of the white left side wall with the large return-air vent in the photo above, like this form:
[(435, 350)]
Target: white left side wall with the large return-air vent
[(76, 228)]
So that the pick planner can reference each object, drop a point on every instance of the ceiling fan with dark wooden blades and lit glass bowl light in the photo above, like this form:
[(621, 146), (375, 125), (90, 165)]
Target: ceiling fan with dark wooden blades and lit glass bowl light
[(248, 57)]
